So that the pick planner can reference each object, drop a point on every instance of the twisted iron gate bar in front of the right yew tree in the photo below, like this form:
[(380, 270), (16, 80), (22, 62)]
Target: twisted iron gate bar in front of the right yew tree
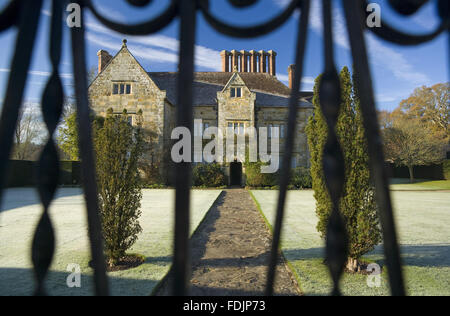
[(336, 245)]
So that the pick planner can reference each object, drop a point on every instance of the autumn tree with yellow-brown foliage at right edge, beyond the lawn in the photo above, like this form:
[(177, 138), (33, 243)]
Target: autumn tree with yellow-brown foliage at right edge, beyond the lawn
[(417, 131)]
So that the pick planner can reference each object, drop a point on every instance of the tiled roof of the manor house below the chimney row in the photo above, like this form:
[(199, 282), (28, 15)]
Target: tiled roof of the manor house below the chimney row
[(269, 90)]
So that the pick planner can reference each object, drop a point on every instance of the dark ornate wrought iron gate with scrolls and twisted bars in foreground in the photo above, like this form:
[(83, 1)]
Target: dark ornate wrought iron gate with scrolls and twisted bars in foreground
[(24, 15)]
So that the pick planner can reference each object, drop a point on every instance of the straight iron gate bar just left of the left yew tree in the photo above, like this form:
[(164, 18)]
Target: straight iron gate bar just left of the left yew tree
[(87, 158)]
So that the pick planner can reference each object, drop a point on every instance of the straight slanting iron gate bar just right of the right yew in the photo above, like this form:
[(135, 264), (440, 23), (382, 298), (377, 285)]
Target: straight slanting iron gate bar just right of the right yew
[(376, 158)]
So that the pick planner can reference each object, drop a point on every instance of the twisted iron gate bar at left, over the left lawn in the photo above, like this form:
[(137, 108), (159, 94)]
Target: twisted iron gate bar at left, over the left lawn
[(43, 245)]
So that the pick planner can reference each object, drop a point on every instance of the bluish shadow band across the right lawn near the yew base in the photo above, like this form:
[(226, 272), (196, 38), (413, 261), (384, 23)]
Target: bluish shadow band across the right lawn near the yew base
[(431, 255)]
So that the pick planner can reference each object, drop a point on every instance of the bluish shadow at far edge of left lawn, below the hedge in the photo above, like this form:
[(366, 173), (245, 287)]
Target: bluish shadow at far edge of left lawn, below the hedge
[(14, 198)]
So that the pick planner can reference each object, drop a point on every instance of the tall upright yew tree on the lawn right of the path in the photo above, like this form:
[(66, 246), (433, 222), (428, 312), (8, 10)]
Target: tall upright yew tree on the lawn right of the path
[(357, 205)]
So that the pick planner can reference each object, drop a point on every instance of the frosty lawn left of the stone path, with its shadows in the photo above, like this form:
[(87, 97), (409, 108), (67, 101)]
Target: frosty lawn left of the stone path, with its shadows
[(21, 210)]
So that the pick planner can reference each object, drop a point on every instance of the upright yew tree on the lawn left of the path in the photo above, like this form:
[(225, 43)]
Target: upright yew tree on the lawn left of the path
[(118, 147)]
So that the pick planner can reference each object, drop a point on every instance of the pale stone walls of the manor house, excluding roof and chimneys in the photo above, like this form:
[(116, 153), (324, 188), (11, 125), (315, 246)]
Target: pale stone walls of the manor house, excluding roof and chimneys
[(159, 113)]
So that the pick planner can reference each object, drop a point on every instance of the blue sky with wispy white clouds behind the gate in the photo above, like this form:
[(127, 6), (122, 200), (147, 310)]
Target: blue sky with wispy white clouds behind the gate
[(396, 70)]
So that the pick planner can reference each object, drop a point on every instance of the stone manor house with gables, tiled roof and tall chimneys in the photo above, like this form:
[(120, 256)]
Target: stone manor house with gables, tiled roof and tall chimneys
[(246, 93)]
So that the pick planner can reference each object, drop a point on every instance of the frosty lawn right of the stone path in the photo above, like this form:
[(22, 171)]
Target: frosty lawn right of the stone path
[(423, 221)]
